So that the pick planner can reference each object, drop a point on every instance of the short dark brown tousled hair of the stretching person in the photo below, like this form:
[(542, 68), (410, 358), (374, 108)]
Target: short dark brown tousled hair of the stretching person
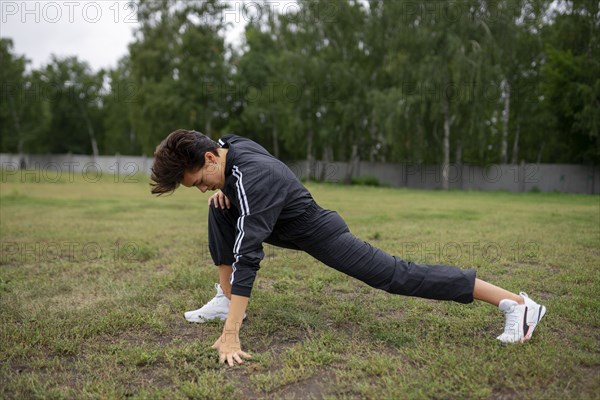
[(181, 151)]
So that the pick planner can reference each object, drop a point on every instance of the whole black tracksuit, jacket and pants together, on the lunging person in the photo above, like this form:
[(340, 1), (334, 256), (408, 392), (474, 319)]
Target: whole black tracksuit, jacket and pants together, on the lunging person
[(269, 204)]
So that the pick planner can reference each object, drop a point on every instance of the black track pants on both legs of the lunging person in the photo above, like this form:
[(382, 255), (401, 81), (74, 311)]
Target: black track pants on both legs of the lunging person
[(324, 235)]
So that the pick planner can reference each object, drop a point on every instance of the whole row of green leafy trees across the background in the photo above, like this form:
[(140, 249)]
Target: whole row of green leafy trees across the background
[(378, 80)]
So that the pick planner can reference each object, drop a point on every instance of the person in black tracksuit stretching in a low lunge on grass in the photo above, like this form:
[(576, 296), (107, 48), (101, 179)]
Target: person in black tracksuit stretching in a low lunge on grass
[(260, 200)]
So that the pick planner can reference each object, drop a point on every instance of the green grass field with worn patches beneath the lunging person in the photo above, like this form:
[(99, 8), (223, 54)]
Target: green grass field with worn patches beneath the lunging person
[(95, 277)]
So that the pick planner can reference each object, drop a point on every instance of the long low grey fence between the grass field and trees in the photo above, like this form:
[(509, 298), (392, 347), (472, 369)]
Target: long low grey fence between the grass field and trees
[(562, 178)]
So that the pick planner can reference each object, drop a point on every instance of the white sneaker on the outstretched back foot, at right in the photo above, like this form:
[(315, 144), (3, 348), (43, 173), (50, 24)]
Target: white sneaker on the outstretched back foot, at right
[(521, 319)]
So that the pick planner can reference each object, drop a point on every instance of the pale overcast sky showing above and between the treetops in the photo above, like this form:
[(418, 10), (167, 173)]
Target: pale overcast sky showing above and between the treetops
[(96, 31)]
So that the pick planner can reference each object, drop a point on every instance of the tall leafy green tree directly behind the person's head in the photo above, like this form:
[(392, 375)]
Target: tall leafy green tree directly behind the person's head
[(178, 68)]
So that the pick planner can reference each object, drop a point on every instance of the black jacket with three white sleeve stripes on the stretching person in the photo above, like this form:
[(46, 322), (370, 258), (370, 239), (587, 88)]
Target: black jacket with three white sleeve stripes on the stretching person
[(266, 193)]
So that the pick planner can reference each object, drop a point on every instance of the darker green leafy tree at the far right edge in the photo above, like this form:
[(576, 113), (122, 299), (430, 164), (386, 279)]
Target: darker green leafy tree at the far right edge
[(571, 83)]
